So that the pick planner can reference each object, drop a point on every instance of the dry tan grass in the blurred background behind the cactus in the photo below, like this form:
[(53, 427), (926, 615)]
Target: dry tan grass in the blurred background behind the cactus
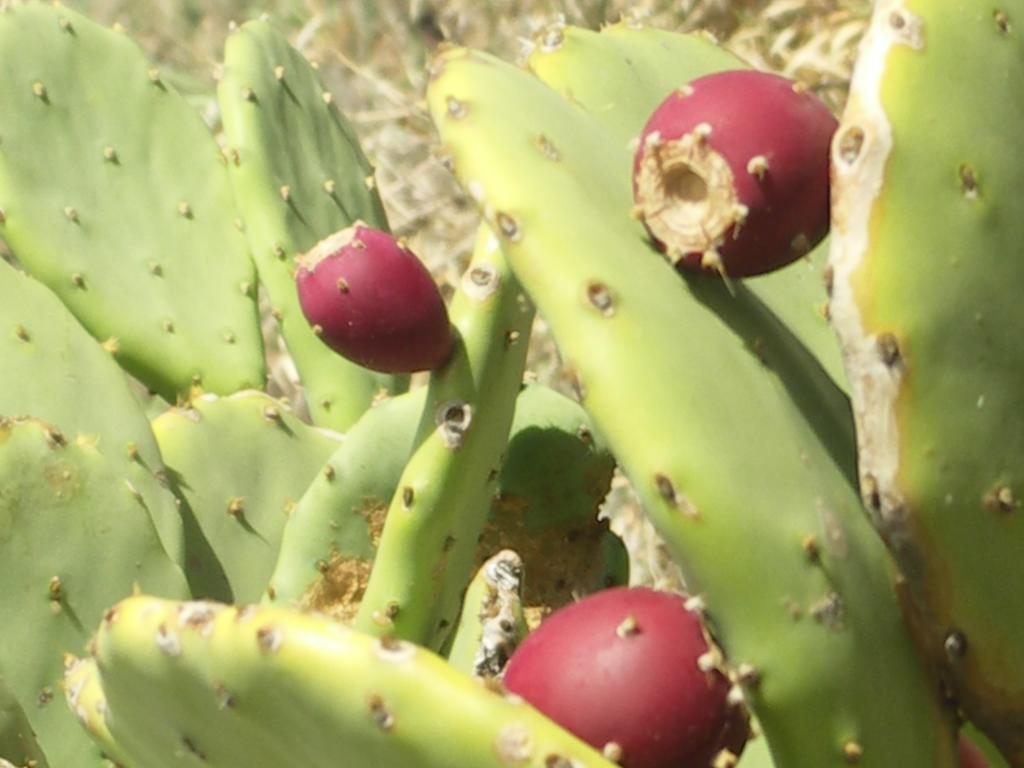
[(372, 56)]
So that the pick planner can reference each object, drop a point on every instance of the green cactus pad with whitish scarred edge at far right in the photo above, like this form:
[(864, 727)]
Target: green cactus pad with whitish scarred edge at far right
[(927, 304)]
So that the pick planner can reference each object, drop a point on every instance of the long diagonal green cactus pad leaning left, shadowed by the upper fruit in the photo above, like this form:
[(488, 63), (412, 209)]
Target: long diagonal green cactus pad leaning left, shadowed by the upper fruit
[(737, 440)]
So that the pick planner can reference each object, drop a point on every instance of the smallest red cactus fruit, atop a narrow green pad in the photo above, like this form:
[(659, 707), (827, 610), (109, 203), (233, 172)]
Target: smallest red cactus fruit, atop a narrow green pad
[(373, 302)]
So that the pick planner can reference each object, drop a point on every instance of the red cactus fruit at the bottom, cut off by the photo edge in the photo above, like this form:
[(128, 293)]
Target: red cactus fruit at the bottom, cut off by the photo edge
[(626, 670)]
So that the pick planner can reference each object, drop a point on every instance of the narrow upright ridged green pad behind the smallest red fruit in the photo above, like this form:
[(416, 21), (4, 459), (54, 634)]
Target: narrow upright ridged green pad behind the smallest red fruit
[(300, 176)]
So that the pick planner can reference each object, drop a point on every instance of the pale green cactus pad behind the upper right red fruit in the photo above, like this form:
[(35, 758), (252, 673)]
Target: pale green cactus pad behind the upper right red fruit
[(620, 77)]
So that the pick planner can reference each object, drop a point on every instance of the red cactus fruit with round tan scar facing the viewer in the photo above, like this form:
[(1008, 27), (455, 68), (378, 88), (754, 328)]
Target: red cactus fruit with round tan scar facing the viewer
[(732, 174)]
